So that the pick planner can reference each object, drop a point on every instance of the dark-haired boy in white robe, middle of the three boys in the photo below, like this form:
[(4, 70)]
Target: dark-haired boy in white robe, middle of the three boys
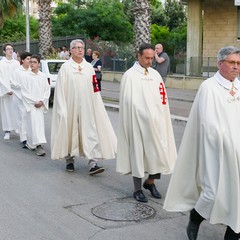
[(20, 75)]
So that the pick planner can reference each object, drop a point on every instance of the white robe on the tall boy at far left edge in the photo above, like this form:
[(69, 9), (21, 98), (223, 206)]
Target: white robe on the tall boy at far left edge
[(7, 67)]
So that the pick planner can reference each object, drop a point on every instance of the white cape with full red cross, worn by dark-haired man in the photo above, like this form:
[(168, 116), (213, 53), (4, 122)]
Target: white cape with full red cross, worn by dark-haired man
[(145, 135)]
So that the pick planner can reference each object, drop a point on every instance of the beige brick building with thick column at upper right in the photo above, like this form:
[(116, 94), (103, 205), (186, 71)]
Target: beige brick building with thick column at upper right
[(212, 24)]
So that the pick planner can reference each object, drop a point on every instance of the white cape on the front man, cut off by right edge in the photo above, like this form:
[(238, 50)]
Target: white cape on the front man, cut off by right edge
[(207, 172)]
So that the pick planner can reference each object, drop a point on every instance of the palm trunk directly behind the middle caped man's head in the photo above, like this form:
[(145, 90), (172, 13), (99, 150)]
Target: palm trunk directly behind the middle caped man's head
[(142, 21)]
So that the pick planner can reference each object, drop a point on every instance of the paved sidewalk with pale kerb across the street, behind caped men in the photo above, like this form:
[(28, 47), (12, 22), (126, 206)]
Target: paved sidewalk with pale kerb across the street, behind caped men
[(180, 100)]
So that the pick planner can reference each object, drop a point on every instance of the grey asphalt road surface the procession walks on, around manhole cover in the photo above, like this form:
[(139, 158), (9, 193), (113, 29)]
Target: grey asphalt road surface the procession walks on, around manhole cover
[(41, 201)]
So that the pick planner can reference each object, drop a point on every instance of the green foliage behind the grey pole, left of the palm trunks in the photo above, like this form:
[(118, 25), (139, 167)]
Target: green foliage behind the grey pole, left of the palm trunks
[(14, 29)]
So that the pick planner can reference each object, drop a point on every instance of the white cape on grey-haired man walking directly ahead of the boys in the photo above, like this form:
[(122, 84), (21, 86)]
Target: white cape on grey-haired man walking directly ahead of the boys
[(80, 124)]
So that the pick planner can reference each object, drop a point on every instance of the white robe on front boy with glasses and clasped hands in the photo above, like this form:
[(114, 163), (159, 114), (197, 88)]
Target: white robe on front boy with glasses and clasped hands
[(36, 88)]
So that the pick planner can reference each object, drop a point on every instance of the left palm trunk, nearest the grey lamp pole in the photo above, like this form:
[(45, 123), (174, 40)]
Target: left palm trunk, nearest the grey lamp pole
[(45, 27)]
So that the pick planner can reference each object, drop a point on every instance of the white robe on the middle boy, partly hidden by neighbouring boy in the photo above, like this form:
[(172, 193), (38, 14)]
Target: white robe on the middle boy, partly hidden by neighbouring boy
[(19, 75)]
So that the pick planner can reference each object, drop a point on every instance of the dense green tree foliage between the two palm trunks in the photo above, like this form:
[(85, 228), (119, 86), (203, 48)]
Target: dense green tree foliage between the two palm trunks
[(108, 23)]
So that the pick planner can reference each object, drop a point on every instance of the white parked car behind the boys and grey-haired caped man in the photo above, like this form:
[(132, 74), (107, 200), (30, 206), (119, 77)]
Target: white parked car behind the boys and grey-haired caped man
[(51, 67)]
